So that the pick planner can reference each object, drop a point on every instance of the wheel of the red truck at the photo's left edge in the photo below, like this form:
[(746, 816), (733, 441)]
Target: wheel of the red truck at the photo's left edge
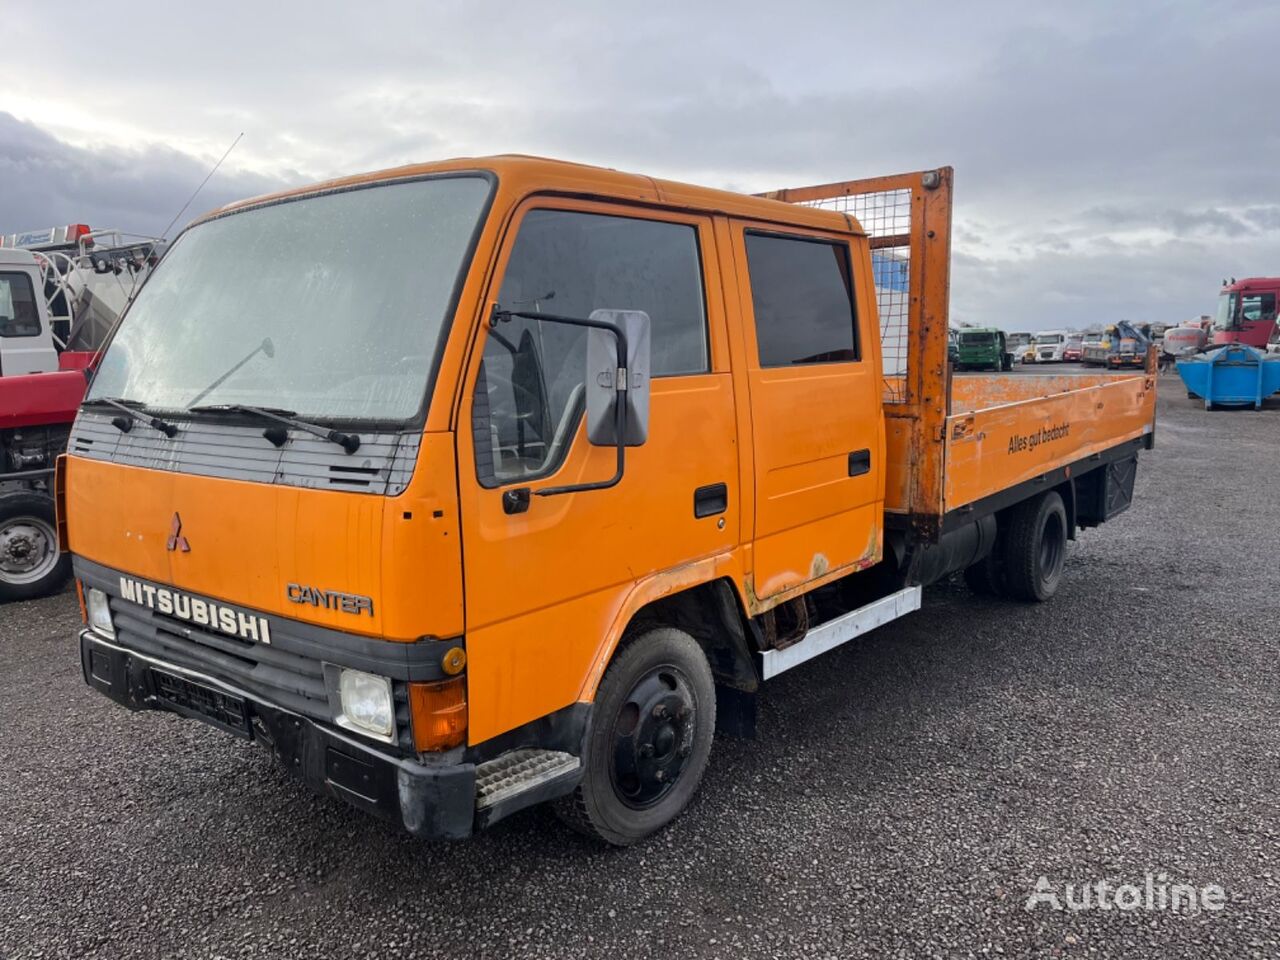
[(31, 565)]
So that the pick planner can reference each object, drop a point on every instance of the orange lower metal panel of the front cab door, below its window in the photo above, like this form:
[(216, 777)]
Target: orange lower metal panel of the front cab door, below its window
[(545, 587)]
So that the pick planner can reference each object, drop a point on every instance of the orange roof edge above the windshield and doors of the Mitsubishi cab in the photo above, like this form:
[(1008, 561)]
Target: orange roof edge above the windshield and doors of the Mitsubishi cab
[(523, 176)]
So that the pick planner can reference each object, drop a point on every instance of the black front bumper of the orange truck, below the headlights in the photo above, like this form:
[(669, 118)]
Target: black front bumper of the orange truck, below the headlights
[(431, 802)]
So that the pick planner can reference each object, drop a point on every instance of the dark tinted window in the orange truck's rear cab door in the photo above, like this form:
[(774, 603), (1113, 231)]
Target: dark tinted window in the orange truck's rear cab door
[(802, 291)]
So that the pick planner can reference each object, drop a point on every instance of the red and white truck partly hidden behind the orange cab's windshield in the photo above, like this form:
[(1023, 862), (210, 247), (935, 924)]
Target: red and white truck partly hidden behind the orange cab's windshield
[(61, 295)]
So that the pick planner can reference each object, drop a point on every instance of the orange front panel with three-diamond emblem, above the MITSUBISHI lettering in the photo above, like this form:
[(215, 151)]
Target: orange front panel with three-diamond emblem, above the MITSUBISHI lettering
[(250, 541)]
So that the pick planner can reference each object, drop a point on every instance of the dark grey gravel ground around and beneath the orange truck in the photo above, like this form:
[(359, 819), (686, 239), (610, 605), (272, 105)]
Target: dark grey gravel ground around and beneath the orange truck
[(902, 801)]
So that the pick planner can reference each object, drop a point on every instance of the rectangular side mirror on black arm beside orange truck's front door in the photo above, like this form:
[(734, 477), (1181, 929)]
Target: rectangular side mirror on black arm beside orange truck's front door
[(602, 373)]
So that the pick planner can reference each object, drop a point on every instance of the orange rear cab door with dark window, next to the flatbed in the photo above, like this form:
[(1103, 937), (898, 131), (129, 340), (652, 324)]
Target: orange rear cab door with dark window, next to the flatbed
[(817, 427)]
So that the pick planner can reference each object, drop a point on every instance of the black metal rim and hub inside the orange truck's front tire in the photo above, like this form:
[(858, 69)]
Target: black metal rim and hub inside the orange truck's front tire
[(653, 738)]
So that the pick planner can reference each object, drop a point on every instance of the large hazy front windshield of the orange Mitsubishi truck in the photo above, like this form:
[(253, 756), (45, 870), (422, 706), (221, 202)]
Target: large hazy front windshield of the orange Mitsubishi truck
[(335, 304)]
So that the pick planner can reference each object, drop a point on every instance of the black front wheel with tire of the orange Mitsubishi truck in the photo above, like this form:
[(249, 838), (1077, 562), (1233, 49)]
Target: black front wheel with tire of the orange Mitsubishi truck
[(651, 738)]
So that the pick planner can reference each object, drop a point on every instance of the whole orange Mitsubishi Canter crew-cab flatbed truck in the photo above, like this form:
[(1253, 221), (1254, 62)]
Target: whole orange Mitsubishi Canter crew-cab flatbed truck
[(479, 484)]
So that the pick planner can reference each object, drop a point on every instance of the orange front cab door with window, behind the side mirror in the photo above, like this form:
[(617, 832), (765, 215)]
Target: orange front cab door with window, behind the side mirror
[(546, 579)]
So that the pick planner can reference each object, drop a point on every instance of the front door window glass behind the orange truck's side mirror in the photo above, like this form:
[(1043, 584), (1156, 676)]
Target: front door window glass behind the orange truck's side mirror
[(529, 395)]
